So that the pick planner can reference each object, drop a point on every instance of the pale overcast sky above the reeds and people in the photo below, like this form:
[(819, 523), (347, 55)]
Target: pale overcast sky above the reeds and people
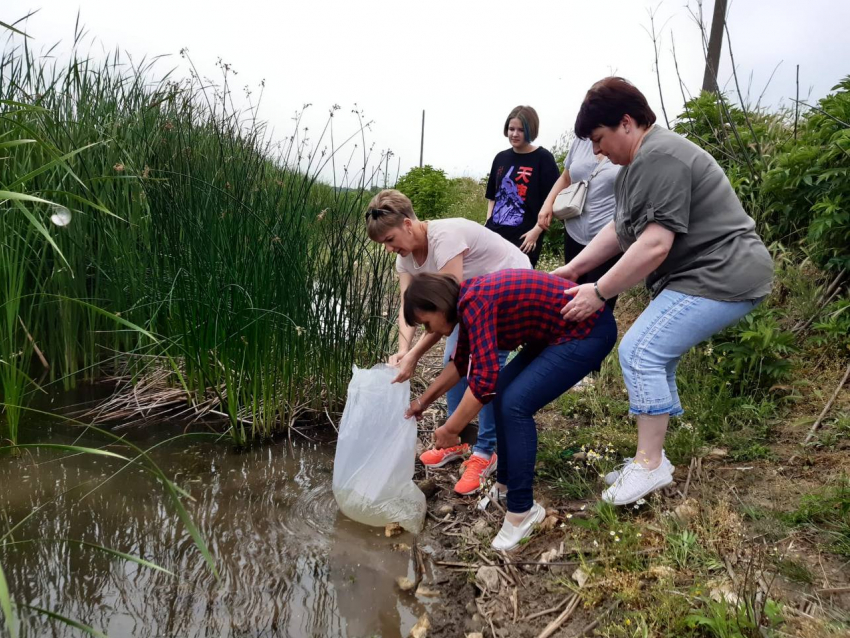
[(466, 62)]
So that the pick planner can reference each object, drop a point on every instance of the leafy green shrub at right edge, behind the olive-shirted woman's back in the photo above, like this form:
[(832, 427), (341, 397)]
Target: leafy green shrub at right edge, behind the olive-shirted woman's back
[(792, 177)]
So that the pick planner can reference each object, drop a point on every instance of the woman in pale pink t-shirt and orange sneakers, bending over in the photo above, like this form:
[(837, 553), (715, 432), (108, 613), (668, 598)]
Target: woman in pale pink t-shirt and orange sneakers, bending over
[(457, 247)]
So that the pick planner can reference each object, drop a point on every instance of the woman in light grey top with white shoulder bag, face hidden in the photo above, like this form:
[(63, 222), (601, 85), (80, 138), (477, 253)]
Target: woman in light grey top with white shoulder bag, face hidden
[(583, 198)]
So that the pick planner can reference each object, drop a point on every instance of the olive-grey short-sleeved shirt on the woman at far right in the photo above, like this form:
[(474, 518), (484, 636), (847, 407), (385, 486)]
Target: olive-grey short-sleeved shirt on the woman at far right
[(716, 252)]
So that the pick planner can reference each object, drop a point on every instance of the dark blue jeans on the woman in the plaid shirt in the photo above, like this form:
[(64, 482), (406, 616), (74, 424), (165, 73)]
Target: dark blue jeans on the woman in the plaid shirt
[(530, 381)]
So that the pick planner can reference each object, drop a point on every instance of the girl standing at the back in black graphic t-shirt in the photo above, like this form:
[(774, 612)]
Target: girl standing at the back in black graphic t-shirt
[(520, 180)]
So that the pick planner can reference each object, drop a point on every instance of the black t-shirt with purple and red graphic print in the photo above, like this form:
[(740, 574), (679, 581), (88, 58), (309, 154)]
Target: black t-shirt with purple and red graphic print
[(519, 184)]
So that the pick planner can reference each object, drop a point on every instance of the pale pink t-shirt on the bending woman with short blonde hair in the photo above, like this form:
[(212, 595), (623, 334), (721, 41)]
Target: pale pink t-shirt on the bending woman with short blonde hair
[(483, 250)]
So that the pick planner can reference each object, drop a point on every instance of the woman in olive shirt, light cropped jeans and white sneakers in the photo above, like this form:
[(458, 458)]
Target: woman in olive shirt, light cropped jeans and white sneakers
[(681, 227)]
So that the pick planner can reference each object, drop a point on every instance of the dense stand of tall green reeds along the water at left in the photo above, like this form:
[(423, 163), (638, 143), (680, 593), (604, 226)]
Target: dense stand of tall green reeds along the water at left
[(189, 222)]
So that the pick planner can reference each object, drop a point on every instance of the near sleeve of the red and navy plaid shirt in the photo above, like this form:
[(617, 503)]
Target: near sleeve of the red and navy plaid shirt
[(477, 354)]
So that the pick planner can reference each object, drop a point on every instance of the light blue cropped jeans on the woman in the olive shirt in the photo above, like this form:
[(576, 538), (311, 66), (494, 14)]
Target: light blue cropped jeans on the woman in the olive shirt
[(650, 351)]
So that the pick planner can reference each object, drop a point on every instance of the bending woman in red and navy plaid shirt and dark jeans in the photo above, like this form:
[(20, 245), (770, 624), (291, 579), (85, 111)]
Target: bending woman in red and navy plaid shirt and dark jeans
[(503, 311)]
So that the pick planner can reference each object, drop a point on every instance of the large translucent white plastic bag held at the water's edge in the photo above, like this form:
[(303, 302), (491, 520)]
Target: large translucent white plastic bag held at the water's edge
[(373, 469)]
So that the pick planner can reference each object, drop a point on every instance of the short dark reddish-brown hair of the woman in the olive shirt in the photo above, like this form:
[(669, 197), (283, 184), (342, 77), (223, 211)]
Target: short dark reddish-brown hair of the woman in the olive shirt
[(607, 102)]
